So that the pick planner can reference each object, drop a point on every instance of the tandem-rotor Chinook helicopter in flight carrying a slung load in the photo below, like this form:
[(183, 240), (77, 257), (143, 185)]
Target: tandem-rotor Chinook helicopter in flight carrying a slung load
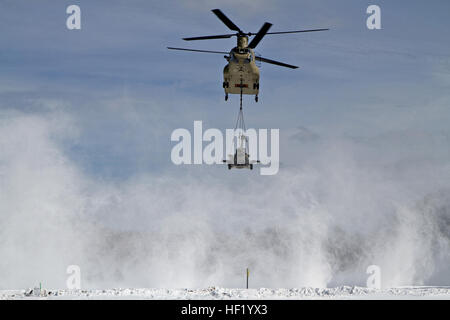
[(241, 74)]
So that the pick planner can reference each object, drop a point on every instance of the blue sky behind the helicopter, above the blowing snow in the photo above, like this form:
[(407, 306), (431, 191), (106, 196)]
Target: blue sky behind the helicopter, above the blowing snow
[(352, 80)]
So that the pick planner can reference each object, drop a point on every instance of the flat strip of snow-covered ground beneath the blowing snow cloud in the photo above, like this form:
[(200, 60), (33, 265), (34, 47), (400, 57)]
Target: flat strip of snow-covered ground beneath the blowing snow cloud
[(215, 293)]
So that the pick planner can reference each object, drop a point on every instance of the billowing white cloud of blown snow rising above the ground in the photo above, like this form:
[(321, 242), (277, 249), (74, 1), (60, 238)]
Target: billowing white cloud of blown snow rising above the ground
[(320, 225)]
